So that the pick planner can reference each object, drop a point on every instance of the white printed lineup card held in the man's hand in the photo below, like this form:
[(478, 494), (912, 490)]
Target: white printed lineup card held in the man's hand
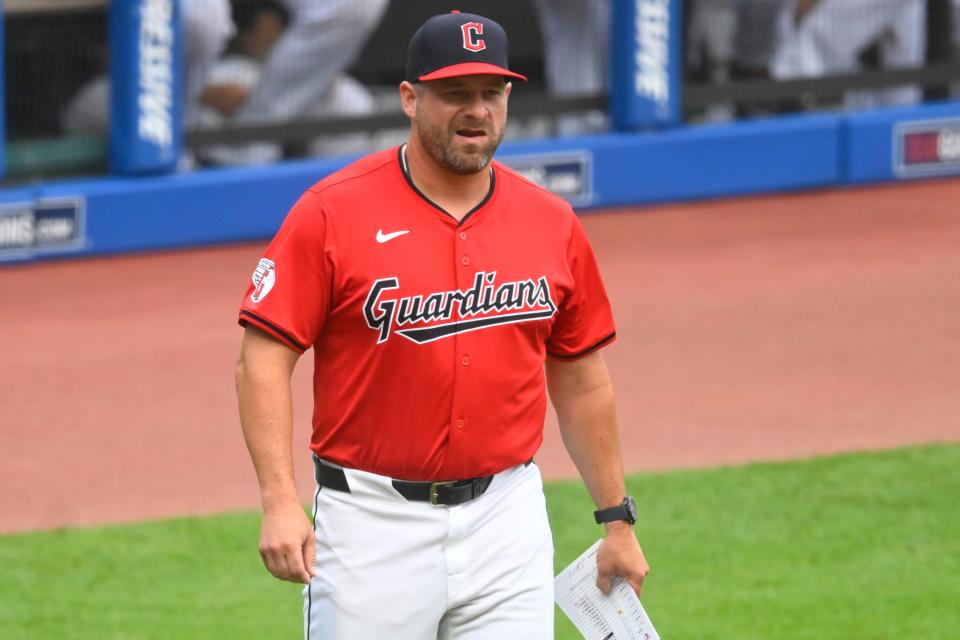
[(619, 616)]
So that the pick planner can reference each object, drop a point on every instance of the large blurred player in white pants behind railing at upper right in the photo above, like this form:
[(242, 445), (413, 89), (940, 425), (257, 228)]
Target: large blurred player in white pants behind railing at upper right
[(823, 37)]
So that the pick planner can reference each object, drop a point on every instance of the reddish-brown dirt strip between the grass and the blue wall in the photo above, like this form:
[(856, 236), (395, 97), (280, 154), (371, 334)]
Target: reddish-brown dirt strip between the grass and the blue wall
[(760, 328)]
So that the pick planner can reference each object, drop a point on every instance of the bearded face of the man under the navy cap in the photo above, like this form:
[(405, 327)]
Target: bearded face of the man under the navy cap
[(460, 121)]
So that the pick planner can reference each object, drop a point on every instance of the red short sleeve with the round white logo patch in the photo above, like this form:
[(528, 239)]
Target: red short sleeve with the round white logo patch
[(289, 292)]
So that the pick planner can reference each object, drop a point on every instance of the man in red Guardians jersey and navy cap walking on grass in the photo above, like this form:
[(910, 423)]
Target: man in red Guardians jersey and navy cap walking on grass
[(442, 294)]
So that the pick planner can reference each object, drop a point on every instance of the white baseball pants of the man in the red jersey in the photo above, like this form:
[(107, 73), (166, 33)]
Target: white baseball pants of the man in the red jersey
[(389, 568)]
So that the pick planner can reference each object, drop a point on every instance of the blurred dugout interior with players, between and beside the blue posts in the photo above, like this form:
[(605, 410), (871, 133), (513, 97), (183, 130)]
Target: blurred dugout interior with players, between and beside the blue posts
[(275, 79)]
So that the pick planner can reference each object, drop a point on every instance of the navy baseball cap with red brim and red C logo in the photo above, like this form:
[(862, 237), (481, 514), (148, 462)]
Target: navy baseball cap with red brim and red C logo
[(458, 44)]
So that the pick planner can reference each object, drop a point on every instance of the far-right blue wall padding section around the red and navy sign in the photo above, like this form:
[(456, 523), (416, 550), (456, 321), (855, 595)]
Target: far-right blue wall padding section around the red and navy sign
[(870, 138)]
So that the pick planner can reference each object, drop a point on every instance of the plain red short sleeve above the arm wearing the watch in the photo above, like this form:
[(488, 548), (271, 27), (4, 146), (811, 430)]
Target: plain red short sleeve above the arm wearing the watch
[(584, 318)]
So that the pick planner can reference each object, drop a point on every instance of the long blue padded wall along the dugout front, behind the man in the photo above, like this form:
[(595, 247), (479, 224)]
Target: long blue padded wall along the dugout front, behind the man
[(230, 205)]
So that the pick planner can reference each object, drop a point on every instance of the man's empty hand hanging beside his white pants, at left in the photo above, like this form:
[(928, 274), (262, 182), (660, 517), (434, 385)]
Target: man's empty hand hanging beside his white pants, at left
[(287, 545)]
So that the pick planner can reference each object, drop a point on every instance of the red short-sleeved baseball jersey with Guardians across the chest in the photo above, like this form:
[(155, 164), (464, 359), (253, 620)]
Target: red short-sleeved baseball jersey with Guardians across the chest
[(429, 335)]
